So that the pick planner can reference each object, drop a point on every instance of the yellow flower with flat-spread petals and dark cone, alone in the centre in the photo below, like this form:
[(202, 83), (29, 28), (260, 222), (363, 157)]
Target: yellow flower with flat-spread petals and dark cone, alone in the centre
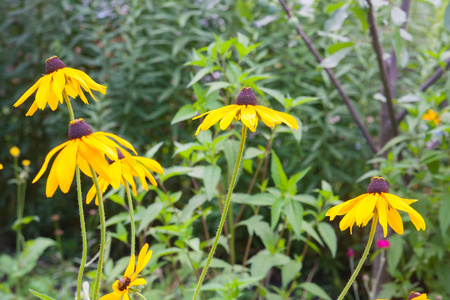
[(246, 110)]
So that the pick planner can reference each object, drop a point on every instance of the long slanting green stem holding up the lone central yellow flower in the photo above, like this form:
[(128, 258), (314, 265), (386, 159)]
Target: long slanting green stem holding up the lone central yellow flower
[(224, 213)]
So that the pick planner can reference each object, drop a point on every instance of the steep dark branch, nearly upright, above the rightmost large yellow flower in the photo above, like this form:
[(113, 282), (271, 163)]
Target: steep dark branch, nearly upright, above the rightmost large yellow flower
[(383, 73)]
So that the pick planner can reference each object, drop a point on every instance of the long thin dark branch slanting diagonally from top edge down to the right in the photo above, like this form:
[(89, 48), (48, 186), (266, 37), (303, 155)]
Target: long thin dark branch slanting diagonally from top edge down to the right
[(335, 81)]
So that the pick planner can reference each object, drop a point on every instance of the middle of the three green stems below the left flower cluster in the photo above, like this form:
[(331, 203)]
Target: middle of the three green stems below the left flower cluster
[(101, 212)]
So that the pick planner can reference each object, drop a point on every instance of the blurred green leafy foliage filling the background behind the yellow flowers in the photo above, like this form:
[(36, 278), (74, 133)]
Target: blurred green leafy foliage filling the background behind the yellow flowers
[(167, 61)]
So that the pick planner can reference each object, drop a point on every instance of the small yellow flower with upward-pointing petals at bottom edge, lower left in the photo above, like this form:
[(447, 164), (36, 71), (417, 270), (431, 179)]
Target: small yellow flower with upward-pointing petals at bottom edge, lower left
[(121, 287)]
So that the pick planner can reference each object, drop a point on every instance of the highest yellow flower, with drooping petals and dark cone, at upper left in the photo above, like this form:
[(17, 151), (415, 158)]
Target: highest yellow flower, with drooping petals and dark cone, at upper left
[(59, 79)]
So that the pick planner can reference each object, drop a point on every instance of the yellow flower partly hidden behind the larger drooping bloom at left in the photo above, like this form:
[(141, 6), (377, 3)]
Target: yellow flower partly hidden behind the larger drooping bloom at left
[(124, 169)]
